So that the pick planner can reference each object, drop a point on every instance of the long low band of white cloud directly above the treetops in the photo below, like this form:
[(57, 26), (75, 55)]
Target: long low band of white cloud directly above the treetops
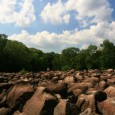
[(78, 38)]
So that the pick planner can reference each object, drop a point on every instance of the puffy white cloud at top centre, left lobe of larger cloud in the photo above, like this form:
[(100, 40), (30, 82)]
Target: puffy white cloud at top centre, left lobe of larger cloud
[(55, 13)]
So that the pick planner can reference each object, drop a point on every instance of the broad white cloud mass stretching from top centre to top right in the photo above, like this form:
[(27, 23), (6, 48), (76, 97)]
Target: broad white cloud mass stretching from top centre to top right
[(97, 10)]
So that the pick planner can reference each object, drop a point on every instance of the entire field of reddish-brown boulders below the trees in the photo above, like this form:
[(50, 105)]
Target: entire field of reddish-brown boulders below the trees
[(90, 92)]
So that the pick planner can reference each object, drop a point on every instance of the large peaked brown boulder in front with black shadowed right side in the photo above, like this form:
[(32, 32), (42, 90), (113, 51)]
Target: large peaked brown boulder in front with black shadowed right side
[(41, 103)]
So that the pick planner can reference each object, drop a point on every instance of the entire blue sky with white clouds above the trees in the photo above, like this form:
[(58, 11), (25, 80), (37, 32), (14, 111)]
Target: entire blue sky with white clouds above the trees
[(53, 25)]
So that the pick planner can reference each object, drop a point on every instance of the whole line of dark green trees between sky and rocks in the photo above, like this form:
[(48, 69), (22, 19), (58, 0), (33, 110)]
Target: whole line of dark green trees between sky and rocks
[(15, 56)]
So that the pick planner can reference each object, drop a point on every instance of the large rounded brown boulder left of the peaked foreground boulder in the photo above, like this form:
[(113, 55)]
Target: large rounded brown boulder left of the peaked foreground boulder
[(19, 94)]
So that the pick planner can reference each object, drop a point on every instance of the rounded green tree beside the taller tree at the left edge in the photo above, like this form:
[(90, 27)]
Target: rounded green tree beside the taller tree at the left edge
[(16, 55)]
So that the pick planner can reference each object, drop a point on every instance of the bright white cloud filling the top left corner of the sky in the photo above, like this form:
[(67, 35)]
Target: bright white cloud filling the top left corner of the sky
[(9, 13)]
